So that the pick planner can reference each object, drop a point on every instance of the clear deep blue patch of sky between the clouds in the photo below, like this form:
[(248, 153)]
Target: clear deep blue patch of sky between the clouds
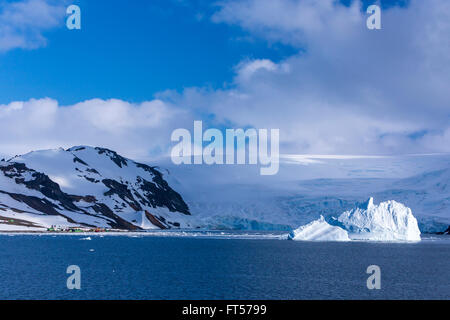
[(130, 50)]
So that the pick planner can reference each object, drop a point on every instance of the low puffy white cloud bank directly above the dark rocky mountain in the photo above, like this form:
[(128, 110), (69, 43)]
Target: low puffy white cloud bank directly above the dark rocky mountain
[(136, 130)]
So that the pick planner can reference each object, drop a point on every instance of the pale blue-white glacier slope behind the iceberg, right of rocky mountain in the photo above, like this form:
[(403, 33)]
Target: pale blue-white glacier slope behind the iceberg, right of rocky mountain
[(236, 197)]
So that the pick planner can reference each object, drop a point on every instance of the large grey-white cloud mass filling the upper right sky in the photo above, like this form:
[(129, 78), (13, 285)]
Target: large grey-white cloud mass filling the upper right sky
[(348, 89)]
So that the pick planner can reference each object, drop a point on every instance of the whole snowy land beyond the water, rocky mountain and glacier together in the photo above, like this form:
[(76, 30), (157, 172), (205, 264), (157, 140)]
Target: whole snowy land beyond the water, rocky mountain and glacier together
[(97, 187)]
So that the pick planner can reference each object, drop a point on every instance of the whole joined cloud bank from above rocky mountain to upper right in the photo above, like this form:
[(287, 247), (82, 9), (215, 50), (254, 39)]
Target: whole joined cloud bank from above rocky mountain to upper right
[(347, 90)]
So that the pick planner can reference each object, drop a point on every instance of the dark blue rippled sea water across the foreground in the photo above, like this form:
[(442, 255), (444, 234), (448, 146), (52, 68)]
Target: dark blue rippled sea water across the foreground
[(149, 267)]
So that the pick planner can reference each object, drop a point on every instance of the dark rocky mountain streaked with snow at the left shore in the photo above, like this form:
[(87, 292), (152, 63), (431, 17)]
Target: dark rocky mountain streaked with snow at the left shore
[(86, 186)]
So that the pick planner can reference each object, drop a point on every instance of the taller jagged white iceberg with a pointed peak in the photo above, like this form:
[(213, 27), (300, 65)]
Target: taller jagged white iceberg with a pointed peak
[(388, 221)]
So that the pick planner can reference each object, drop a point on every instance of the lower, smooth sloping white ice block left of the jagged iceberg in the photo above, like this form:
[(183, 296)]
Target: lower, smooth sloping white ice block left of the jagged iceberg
[(319, 230)]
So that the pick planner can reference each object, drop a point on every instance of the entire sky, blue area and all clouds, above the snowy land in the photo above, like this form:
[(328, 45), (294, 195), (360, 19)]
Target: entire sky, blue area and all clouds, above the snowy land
[(137, 70)]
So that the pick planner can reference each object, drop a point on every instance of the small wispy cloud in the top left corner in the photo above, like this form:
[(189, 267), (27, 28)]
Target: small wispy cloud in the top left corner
[(22, 23)]
